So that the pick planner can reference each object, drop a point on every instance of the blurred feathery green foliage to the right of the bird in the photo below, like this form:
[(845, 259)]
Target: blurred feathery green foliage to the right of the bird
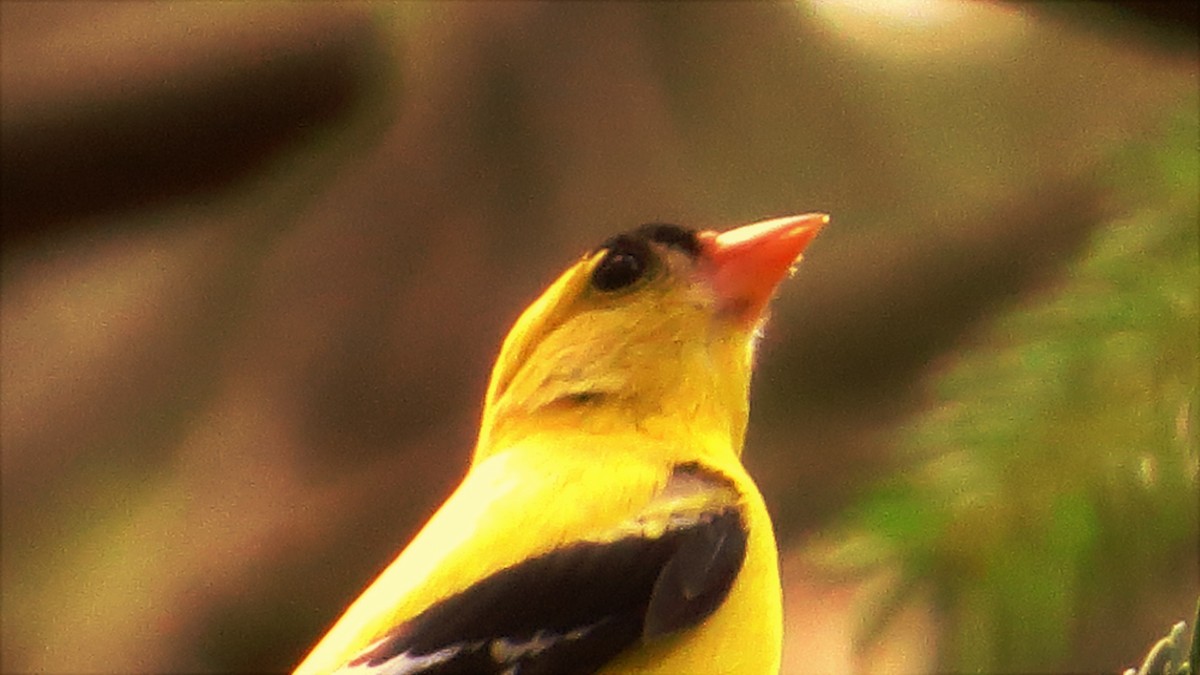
[(1057, 477)]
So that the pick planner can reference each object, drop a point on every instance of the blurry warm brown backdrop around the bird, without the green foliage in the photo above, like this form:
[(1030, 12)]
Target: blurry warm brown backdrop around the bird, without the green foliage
[(257, 260)]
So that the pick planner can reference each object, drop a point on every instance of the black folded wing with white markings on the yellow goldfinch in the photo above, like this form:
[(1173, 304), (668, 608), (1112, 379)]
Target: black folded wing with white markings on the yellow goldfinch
[(573, 610)]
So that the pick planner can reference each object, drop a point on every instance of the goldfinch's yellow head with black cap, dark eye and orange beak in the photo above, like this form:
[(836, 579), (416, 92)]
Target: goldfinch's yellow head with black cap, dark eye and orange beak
[(653, 330)]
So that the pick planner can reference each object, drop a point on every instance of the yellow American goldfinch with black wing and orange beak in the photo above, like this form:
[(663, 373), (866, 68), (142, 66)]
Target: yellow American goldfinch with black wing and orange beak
[(605, 523)]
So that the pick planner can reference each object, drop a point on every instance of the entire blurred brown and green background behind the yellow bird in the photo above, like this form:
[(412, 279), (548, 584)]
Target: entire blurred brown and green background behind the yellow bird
[(257, 260)]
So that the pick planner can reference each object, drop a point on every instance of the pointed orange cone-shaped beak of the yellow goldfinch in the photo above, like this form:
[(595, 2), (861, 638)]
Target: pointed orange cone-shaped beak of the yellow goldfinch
[(747, 264)]
